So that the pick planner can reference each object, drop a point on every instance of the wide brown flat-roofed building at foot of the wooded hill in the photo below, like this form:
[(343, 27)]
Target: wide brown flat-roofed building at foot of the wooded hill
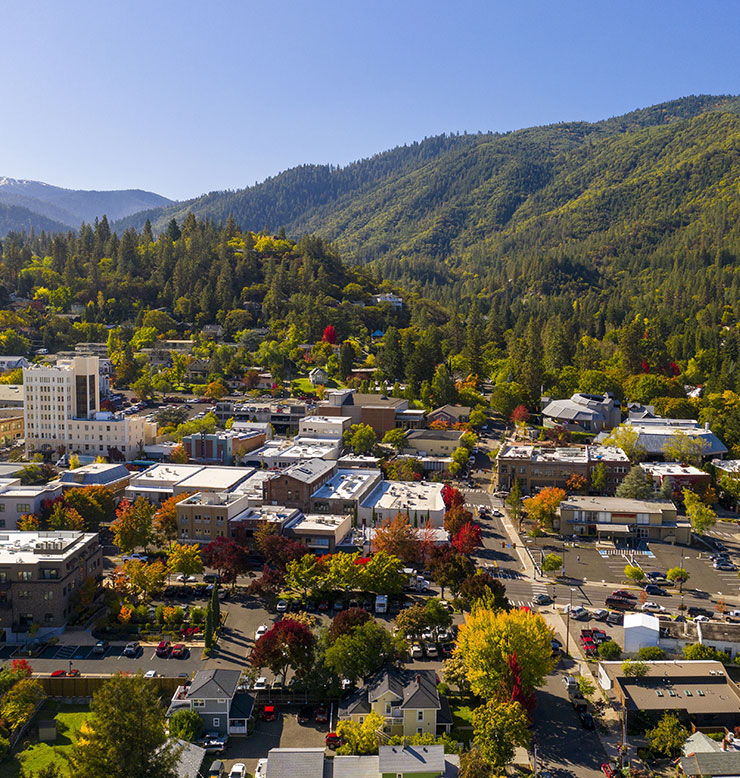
[(379, 411)]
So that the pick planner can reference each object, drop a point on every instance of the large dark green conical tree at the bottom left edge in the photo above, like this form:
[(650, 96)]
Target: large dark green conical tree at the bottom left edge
[(125, 735)]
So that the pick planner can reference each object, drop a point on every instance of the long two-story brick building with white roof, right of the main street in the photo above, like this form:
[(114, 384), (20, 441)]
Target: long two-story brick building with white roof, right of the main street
[(538, 467)]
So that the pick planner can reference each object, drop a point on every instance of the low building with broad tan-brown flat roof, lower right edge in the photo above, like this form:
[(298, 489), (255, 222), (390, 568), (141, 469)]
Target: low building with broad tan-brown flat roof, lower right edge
[(699, 692)]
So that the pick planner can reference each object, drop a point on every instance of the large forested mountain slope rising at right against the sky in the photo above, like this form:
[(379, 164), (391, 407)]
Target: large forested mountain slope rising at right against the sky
[(432, 211)]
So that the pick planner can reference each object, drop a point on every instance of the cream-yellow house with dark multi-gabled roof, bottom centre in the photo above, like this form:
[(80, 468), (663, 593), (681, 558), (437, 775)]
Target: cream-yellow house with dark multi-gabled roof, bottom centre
[(407, 700)]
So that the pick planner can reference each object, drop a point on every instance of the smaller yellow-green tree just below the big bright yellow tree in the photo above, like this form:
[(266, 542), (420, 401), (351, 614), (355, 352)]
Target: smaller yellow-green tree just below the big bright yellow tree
[(498, 727)]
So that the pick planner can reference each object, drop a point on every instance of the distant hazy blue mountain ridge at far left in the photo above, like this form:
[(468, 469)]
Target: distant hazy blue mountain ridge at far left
[(70, 207)]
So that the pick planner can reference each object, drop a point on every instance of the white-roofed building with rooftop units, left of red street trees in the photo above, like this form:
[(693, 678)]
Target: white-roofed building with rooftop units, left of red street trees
[(421, 501)]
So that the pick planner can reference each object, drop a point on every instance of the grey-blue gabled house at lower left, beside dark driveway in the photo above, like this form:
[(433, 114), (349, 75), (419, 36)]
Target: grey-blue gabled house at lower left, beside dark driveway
[(213, 695)]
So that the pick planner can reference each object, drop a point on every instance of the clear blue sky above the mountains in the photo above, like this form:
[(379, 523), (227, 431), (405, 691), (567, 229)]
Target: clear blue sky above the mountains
[(188, 97)]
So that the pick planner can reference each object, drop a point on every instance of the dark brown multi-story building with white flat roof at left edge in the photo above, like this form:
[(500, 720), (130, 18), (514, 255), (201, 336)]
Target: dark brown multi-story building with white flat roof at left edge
[(39, 575)]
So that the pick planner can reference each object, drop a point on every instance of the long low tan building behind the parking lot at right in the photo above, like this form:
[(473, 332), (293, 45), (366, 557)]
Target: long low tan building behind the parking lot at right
[(617, 518)]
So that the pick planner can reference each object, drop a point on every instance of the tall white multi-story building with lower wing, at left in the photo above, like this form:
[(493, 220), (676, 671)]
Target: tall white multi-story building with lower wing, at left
[(62, 412)]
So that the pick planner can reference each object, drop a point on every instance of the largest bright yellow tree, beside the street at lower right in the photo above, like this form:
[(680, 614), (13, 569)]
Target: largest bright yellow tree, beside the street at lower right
[(488, 639)]
